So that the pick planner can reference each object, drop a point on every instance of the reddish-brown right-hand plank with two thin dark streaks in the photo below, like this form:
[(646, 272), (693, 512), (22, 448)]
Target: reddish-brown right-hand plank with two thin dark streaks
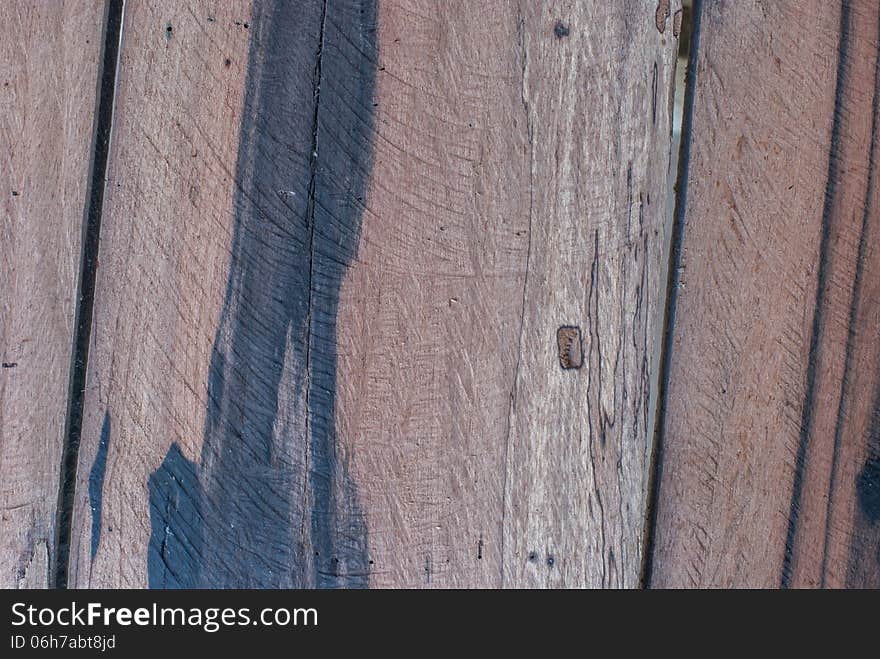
[(770, 450)]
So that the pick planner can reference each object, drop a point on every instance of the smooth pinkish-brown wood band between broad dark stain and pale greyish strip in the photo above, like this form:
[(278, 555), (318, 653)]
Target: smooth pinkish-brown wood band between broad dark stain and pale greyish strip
[(430, 307)]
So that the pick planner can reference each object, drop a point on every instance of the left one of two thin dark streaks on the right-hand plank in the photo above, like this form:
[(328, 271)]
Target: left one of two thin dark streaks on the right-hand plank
[(823, 286)]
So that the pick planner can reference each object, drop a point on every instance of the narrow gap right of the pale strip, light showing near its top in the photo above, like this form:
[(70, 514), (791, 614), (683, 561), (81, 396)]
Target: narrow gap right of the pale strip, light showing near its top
[(685, 83)]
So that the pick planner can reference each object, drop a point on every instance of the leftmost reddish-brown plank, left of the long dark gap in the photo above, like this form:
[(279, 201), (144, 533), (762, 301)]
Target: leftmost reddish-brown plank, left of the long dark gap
[(49, 61)]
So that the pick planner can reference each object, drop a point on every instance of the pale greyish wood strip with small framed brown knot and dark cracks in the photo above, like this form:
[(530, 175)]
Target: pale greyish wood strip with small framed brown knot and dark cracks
[(599, 104)]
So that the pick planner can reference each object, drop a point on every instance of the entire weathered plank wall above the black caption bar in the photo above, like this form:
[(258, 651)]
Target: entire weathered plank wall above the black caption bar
[(388, 294)]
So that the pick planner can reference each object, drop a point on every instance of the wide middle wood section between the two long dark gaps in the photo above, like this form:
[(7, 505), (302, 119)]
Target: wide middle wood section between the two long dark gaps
[(339, 242)]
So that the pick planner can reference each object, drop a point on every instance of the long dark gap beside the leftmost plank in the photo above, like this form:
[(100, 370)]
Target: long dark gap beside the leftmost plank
[(106, 92)]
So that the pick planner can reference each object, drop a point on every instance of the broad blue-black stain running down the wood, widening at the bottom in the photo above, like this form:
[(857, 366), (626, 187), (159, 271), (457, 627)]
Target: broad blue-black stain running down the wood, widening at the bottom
[(271, 503)]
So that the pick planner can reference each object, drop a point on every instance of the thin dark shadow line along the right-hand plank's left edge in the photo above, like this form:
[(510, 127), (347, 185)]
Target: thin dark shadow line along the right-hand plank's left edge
[(672, 286)]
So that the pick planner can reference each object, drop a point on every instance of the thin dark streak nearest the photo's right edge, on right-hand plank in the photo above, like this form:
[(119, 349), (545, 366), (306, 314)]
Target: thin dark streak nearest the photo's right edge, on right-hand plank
[(855, 303)]
